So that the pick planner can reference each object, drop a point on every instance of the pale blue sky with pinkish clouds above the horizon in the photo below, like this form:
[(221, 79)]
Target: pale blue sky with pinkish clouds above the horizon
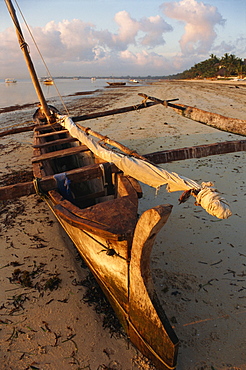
[(121, 37)]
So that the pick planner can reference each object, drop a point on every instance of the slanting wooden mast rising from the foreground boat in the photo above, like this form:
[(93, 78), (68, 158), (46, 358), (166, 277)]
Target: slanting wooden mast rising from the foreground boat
[(24, 48)]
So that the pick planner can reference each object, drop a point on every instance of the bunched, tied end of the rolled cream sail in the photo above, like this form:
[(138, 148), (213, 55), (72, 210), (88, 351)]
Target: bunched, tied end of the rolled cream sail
[(211, 200)]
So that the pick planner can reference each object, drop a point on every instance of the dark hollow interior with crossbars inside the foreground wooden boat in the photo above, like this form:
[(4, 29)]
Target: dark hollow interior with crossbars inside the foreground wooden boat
[(64, 154)]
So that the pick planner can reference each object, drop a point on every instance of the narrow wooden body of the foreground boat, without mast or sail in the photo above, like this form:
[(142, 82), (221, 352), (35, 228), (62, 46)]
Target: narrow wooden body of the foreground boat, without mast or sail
[(99, 211)]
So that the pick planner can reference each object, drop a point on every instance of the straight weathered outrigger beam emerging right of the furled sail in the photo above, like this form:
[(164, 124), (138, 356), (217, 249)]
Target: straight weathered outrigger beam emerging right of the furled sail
[(198, 151)]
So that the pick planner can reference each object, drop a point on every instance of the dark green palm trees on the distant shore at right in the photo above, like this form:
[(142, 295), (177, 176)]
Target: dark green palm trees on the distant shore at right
[(227, 66)]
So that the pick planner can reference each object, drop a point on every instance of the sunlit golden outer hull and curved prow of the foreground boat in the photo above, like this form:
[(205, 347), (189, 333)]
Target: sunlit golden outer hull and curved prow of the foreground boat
[(135, 304)]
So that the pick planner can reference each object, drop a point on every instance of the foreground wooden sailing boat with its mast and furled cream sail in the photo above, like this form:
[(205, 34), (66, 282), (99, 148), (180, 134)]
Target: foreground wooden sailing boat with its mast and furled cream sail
[(93, 192)]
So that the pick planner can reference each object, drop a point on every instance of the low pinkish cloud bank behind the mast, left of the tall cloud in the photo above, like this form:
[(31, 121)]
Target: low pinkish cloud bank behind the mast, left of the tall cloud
[(75, 42)]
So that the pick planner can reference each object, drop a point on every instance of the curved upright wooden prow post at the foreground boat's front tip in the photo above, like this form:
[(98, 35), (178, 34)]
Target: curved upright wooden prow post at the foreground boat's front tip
[(161, 348)]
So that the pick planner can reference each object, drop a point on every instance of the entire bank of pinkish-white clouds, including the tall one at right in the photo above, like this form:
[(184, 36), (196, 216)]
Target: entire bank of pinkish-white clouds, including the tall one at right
[(78, 47)]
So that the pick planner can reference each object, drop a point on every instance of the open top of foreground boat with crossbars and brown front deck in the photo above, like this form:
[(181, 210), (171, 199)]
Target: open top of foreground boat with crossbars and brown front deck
[(91, 200)]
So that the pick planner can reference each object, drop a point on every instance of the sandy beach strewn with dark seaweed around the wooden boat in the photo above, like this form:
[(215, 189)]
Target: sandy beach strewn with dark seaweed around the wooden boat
[(198, 262)]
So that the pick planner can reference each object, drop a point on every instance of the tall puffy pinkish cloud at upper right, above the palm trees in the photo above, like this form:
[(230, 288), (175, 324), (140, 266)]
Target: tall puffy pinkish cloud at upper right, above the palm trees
[(200, 20)]
